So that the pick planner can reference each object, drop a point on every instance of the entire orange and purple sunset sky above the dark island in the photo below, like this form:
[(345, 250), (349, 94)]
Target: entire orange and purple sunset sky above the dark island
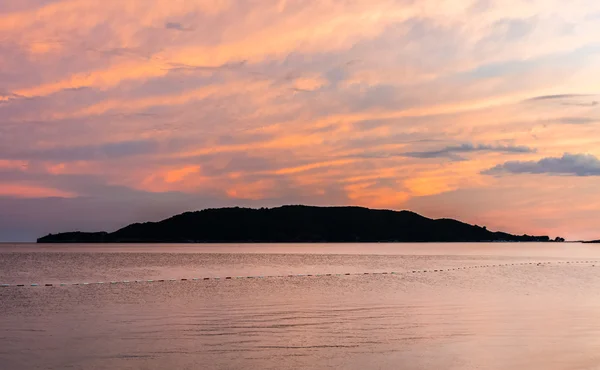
[(113, 112)]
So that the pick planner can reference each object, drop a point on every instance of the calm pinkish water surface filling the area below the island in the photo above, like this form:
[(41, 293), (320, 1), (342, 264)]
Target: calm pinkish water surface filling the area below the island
[(507, 315)]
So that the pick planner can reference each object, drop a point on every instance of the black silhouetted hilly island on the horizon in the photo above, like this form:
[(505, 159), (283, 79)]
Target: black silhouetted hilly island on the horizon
[(294, 224)]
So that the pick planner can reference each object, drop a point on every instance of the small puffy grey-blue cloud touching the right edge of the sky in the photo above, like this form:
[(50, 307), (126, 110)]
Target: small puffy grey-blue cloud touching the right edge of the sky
[(568, 164)]
